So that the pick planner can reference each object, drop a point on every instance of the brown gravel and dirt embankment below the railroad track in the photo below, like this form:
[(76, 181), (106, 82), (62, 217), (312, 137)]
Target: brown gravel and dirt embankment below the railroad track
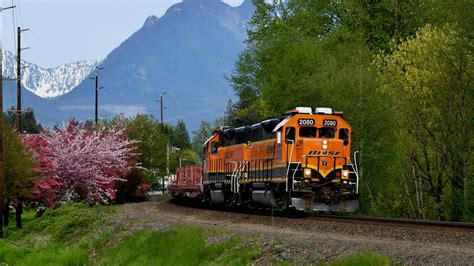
[(311, 241)]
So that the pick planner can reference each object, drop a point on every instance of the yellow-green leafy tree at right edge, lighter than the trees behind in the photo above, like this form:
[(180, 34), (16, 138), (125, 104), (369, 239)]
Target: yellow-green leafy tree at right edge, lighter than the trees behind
[(430, 79)]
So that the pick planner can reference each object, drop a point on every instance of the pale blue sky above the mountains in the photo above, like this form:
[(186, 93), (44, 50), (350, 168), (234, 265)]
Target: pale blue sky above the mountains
[(65, 31)]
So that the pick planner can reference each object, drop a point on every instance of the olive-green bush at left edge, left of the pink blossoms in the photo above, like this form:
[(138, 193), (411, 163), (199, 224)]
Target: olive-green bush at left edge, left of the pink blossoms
[(18, 166)]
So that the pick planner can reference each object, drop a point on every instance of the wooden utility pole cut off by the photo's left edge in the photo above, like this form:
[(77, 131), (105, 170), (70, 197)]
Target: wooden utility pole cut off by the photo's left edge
[(2, 167)]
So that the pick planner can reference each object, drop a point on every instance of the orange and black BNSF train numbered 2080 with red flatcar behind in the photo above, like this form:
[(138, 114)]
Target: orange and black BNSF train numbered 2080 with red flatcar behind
[(300, 160)]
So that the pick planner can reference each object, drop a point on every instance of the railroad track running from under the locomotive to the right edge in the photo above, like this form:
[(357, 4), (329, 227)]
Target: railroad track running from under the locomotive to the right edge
[(394, 221)]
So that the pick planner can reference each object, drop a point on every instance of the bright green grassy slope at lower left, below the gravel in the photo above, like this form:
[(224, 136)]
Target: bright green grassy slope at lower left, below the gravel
[(74, 234)]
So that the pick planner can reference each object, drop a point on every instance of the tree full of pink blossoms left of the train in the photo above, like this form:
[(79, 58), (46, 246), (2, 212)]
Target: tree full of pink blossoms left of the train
[(83, 162)]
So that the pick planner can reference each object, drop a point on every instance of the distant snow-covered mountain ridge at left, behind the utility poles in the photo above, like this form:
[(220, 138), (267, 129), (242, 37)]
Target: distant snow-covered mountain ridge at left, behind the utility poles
[(48, 82)]
